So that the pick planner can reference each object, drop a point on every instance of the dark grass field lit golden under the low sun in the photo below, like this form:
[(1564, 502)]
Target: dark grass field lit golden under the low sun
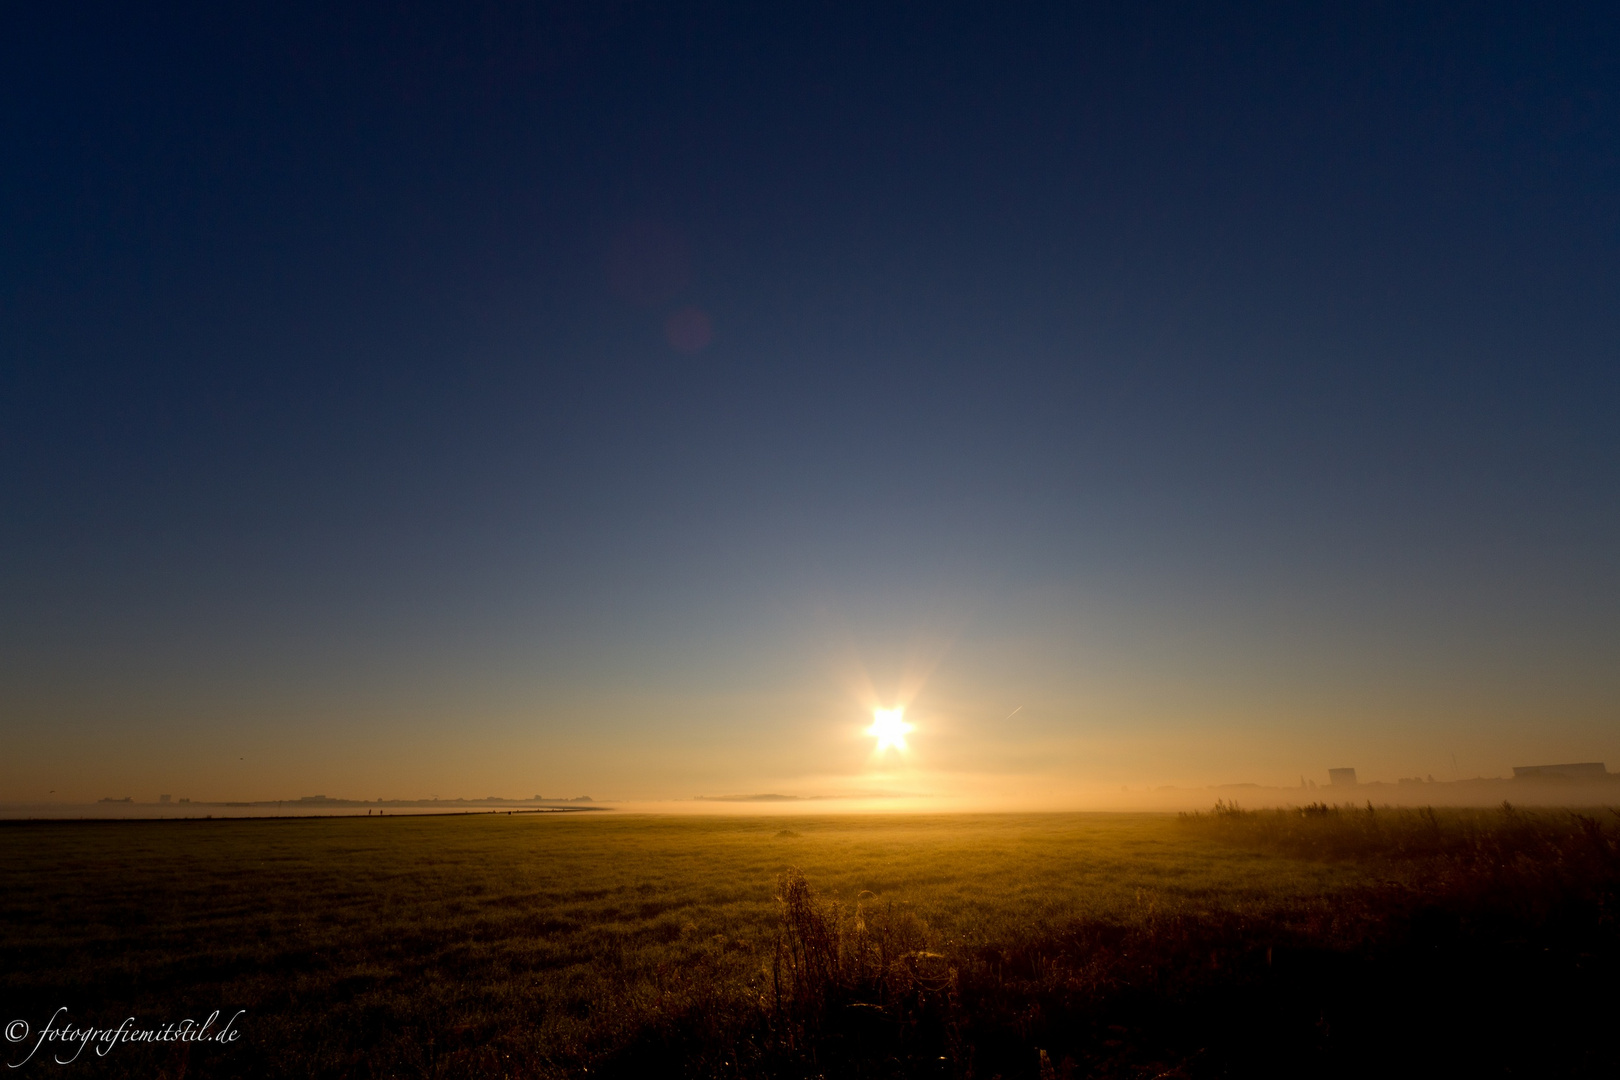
[(1329, 943)]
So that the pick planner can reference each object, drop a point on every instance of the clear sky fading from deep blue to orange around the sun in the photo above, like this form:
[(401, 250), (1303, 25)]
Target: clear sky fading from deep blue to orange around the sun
[(628, 399)]
